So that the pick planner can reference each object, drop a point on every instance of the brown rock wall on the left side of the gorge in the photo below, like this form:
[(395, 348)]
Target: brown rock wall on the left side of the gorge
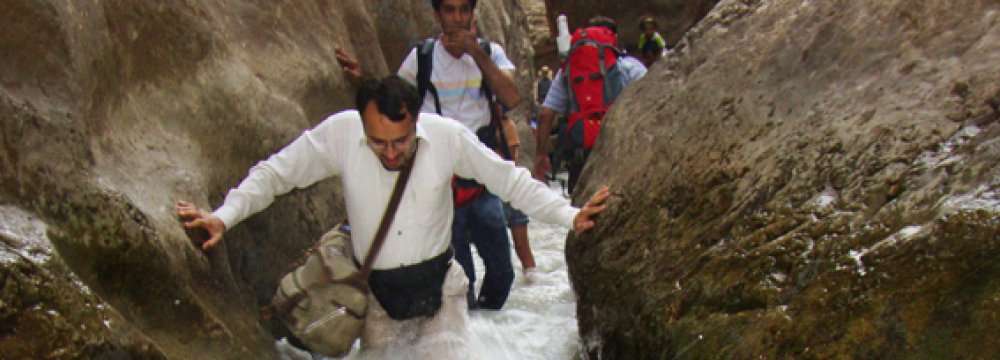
[(111, 111)]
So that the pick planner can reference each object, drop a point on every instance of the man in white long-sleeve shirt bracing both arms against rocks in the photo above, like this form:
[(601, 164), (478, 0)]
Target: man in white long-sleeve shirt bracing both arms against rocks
[(367, 149)]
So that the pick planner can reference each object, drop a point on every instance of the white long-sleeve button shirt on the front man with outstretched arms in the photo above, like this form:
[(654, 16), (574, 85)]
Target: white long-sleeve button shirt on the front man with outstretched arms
[(422, 226)]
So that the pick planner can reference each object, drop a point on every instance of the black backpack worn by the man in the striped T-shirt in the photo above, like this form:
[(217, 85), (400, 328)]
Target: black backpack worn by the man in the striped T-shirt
[(491, 135)]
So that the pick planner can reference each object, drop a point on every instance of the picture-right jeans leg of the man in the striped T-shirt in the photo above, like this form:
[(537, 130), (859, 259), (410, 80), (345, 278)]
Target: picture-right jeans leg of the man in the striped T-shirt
[(489, 233)]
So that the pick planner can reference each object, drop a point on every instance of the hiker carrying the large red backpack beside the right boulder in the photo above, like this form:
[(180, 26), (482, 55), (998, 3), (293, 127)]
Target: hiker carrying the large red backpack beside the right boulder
[(593, 74)]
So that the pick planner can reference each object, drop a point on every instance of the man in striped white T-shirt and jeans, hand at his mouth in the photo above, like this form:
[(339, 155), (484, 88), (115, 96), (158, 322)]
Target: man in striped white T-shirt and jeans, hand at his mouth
[(463, 75)]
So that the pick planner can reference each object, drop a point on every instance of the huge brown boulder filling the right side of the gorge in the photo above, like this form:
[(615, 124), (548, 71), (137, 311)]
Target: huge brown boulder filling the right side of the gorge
[(802, 179)]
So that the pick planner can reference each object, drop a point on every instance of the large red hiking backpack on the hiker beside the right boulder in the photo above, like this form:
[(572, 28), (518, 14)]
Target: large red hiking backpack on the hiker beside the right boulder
[(593, 82)]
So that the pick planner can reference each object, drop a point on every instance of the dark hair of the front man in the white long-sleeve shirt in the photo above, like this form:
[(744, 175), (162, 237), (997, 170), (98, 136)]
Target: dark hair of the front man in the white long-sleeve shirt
[(391, 95)]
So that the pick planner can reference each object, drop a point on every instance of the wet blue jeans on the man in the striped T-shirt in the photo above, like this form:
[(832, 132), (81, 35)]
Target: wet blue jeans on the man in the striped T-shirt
[(483, 223)]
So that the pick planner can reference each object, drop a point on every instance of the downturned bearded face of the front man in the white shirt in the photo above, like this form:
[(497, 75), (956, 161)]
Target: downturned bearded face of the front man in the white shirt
[(393, 142)]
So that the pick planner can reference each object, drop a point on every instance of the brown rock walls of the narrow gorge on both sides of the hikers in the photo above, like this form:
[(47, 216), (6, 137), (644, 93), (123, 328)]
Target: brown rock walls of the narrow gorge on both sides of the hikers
[(795, 179)]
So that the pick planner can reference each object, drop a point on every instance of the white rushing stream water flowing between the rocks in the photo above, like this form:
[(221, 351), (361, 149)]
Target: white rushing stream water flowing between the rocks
[(537, 322)]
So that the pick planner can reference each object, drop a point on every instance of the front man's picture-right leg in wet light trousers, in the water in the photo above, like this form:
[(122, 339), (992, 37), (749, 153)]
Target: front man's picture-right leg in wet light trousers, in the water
[(444, 336)]
